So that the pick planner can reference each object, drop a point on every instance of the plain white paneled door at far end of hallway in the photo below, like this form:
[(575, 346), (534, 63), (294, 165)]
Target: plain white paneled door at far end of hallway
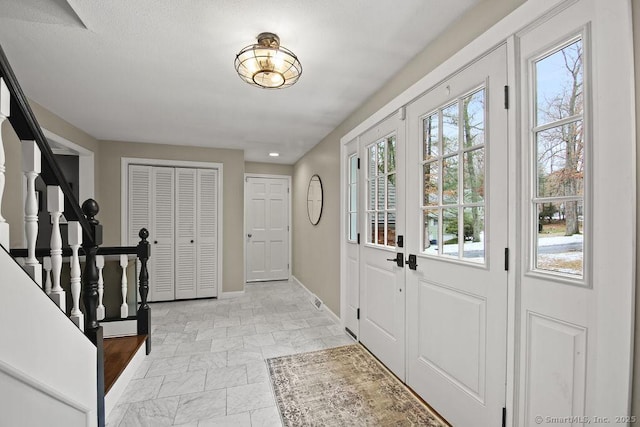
[(267, 227)]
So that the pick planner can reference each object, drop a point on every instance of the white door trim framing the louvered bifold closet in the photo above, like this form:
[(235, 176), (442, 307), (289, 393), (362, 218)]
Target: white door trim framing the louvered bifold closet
[(124, 201)]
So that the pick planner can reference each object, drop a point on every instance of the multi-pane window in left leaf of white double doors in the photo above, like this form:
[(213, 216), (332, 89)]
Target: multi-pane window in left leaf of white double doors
[(381, 194)]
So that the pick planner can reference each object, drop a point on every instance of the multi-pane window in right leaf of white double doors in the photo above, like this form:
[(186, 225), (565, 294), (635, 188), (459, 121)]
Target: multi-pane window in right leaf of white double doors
[(453, 164)]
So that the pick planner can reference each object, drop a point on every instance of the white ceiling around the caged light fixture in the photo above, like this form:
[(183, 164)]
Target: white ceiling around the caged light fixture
[(162, 70)]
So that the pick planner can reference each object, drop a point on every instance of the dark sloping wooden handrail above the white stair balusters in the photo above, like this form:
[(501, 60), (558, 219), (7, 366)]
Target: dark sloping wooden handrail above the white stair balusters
[(26, 126)]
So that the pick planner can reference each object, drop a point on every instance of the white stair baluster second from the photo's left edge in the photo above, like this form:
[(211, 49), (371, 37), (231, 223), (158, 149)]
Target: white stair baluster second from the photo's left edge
[(31, 168)]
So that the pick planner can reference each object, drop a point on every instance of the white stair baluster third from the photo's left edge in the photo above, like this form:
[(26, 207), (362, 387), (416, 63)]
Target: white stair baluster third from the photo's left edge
[(55, 206)]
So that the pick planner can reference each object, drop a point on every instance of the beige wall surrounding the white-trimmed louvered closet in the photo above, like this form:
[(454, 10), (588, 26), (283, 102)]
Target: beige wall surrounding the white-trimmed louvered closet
[(108, 181)]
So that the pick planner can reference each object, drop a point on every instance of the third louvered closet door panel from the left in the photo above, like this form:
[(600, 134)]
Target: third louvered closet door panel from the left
[(186, 234)]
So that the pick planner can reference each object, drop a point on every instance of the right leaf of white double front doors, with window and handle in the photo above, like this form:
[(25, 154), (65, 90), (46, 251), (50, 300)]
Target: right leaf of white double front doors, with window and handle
[(457, 227)]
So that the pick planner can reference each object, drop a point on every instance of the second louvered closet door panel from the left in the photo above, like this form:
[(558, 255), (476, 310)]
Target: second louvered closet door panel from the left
[(162, 273)]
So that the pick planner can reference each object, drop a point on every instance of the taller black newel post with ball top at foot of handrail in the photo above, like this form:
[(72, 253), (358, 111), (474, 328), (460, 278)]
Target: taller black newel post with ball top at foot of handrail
[(90, 277)]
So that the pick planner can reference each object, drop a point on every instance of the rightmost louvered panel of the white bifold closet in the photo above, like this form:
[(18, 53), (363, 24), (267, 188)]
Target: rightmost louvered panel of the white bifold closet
[(207, 226)]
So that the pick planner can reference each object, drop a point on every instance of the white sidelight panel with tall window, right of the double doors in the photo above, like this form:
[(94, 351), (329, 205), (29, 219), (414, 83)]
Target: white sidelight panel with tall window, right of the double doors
[(578, 213)]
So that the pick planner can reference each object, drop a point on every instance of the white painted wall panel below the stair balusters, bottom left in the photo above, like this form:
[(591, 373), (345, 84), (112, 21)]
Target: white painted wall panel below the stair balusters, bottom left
[(46, 353)]
